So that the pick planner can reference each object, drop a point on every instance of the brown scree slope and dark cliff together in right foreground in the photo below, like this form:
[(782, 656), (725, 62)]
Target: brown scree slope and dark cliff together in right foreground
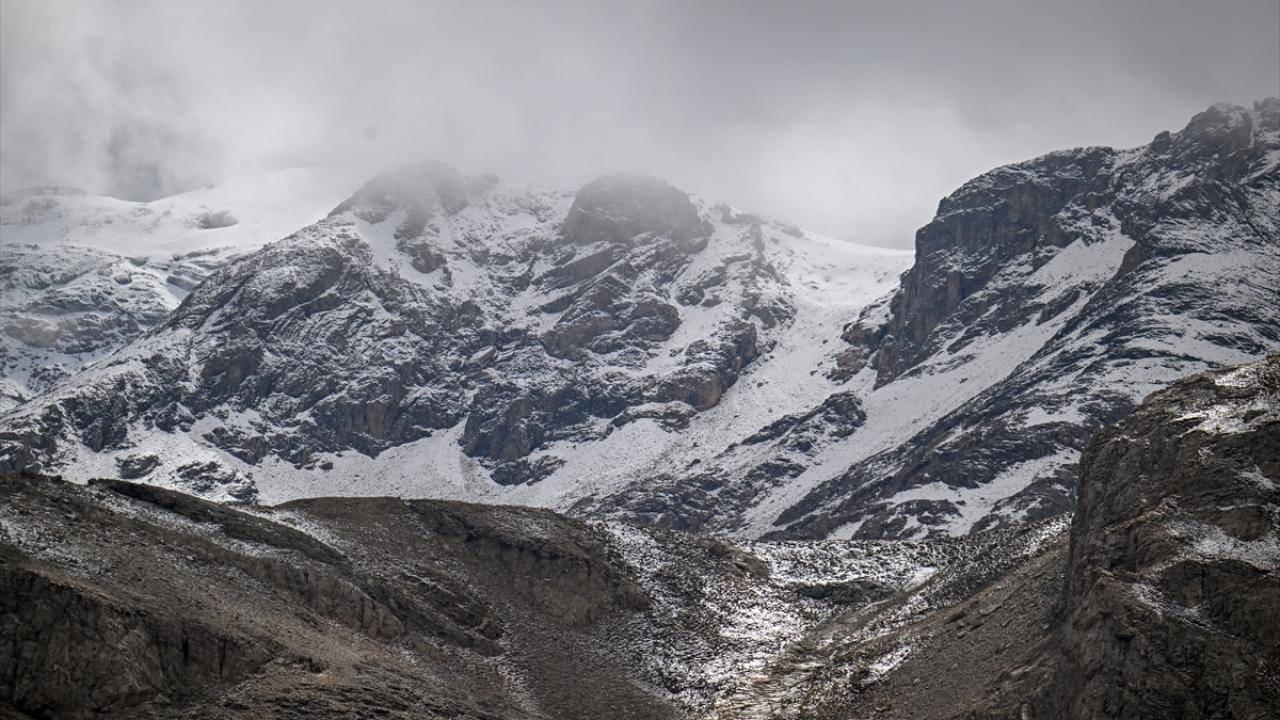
[(1163, 603)]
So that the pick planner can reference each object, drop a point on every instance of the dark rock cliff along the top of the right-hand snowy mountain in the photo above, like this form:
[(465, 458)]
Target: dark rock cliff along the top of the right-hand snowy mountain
[(1020, 212)]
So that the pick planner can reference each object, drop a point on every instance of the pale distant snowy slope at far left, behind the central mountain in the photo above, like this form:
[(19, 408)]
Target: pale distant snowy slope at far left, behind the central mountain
[(83, 275)]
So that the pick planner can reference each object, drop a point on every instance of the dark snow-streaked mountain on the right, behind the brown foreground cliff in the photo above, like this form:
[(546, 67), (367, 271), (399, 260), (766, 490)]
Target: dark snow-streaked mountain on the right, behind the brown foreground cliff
[(1046, 300)]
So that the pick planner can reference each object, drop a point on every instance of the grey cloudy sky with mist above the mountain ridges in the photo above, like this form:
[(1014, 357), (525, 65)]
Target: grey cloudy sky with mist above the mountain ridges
[(848, 119)]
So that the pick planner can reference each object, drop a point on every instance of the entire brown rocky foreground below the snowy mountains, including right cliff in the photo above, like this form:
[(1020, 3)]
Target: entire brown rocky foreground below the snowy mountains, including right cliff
[(1156, 601)]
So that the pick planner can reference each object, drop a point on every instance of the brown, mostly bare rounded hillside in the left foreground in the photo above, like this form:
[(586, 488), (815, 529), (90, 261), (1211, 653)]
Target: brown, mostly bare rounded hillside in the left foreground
[(132, 601)]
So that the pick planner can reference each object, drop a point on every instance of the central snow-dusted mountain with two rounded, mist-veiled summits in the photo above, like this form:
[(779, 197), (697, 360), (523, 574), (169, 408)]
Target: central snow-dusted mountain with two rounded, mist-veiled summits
[(461, 338)]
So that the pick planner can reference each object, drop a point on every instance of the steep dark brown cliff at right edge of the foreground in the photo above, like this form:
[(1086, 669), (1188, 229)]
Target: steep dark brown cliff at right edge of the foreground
[(1176, 558)]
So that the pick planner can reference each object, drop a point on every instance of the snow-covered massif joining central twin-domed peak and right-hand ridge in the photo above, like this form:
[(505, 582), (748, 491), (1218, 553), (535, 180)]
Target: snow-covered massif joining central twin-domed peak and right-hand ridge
[(634, 353)]
